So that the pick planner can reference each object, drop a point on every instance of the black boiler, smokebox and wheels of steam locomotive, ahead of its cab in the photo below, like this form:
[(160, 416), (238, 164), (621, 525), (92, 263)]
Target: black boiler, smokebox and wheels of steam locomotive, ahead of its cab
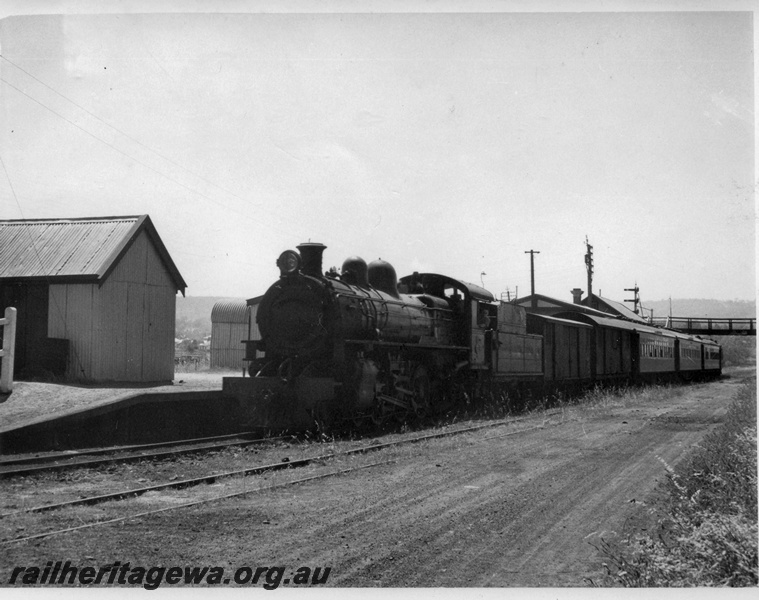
[(385, 351)]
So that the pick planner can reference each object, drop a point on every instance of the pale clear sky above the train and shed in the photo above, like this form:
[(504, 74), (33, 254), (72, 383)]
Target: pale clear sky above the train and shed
[(438, 136)]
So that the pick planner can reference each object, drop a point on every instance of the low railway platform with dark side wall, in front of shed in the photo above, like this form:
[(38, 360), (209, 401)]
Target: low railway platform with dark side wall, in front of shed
[(42, 417)]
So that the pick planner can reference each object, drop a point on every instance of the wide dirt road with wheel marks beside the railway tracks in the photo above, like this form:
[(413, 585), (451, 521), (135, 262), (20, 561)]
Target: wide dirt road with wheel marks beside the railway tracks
[(497, 507)]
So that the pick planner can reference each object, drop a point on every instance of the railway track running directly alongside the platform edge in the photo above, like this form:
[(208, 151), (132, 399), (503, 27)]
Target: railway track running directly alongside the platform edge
[(59, 461)]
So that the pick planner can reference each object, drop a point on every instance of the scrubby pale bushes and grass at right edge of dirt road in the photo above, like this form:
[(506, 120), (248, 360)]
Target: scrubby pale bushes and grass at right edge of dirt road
[(708, 534)]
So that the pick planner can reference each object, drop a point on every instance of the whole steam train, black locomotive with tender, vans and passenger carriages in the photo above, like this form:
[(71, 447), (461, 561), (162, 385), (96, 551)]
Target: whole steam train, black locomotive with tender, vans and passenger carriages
[(372, 345)]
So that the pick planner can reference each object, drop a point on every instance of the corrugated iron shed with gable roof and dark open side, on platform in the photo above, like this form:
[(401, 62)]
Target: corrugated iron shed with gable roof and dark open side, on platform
[(96, 298)]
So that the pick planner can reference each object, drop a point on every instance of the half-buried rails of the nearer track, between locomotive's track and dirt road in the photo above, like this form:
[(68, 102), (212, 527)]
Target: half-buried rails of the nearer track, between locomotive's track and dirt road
[(258, 469)]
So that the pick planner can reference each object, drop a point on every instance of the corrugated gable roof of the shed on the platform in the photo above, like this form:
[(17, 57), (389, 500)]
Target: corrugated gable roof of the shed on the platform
[(74, 250)]
